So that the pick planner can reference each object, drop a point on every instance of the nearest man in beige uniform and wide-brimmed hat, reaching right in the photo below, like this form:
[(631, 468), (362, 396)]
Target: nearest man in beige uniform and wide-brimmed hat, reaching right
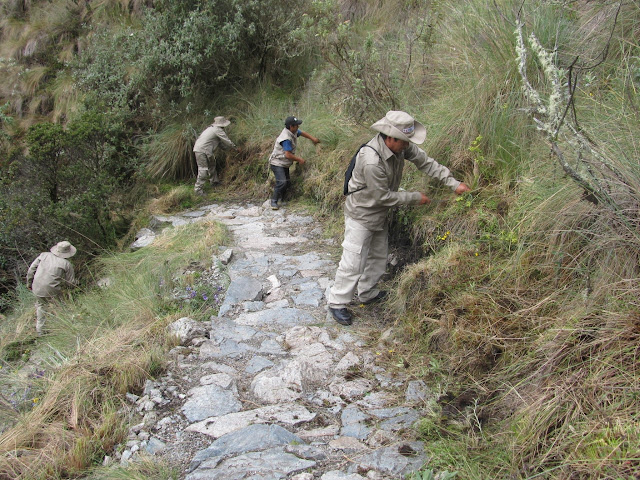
[(373, 191)]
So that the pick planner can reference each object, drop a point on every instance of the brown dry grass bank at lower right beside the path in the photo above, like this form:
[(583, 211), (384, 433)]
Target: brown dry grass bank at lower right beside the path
[(558, 372)]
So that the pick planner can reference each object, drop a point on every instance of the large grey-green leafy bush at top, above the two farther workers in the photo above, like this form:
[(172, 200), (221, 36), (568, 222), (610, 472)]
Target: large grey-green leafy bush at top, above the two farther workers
[(185, 50)]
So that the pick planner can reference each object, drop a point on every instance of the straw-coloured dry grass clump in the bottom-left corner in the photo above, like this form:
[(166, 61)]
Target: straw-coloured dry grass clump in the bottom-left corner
[(75, 420)]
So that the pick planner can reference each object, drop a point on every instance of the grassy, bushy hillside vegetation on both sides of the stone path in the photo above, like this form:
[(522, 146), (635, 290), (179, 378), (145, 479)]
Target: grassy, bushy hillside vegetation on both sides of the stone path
[(519, 301)]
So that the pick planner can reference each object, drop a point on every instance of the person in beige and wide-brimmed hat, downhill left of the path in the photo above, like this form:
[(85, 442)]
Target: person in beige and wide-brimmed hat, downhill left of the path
[(47, 275)]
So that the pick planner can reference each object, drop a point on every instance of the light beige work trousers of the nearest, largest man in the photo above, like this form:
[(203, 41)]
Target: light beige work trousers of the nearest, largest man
[(363, 262)]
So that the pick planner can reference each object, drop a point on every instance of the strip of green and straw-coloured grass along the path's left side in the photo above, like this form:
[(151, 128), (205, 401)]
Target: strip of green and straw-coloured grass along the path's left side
[(101, 344)]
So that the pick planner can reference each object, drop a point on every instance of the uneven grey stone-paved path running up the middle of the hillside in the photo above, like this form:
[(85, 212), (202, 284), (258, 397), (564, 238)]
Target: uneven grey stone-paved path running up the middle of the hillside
[(273, 388)]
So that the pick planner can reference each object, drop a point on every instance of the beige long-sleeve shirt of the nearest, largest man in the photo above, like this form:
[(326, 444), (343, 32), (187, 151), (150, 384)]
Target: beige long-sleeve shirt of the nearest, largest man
[(382, 175)]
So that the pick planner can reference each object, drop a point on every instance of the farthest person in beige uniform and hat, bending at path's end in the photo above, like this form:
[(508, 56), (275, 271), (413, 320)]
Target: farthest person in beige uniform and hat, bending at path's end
[(212, 137)]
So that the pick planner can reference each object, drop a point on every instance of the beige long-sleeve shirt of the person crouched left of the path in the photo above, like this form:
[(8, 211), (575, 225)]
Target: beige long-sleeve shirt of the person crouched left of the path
[(48, 273)]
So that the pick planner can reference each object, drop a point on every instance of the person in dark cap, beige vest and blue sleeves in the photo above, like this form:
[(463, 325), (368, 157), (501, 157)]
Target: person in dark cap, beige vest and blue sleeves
[(283, 156)]
